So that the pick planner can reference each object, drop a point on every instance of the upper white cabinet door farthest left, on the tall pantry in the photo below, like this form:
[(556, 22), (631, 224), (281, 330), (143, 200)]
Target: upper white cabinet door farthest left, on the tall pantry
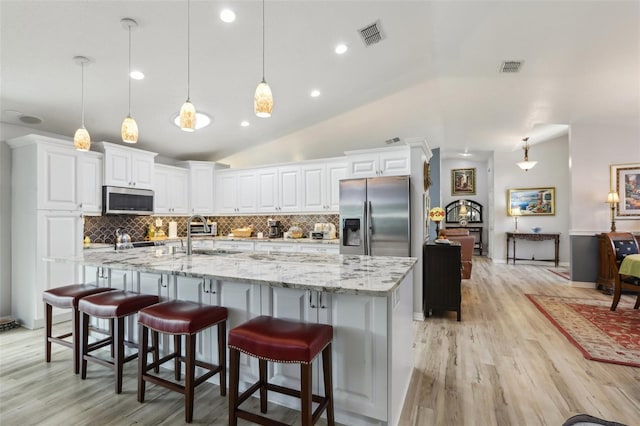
[(58, 176)]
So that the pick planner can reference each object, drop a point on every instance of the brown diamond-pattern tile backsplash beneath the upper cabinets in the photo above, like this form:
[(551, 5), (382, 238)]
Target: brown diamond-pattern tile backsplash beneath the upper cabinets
[(102, 229)]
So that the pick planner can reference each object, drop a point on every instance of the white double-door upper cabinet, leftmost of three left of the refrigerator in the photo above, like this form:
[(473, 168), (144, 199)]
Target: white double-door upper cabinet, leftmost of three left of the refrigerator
[(236, 191)]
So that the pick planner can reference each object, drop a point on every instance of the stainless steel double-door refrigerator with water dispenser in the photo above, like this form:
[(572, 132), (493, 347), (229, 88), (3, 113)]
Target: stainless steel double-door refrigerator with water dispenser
[(375, 216)]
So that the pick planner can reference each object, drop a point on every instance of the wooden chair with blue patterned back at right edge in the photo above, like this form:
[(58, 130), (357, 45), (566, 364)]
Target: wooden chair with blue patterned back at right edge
[(621, 245)]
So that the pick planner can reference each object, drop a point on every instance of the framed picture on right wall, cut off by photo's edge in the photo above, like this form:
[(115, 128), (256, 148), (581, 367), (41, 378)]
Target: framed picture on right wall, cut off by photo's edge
[(625, 179)]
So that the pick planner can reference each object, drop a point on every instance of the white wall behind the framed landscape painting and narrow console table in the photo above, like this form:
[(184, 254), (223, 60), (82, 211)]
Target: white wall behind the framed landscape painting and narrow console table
[(552, 170)]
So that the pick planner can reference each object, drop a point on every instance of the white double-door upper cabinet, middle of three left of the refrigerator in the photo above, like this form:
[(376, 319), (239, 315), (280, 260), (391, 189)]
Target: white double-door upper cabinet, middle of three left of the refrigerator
[(279, 189)]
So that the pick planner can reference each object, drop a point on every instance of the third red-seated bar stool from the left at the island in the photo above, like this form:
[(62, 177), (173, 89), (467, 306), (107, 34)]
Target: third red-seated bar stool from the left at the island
[(182, 318)]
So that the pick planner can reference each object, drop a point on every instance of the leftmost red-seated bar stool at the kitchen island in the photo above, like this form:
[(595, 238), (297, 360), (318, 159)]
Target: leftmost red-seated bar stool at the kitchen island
[(66, 297)]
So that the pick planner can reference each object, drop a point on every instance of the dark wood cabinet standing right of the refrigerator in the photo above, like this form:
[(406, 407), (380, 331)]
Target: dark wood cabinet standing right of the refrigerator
[(441, 278)]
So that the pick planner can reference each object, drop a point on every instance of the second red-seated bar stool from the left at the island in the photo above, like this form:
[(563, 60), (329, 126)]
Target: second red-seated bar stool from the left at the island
[(115, 306)]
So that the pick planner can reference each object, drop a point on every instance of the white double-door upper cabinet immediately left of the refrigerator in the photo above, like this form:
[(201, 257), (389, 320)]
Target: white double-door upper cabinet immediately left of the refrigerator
[(321, 186)]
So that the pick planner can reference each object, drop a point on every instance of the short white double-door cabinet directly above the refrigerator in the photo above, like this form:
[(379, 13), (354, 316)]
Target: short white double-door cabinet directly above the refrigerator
[(383, 162)]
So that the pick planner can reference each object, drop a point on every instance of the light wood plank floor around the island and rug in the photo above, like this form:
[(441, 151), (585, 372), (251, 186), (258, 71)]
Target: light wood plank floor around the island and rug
[(504, 364)]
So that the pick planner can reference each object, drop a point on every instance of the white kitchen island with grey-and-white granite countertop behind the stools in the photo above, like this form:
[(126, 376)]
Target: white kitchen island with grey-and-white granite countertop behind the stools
[(368, 301)]
